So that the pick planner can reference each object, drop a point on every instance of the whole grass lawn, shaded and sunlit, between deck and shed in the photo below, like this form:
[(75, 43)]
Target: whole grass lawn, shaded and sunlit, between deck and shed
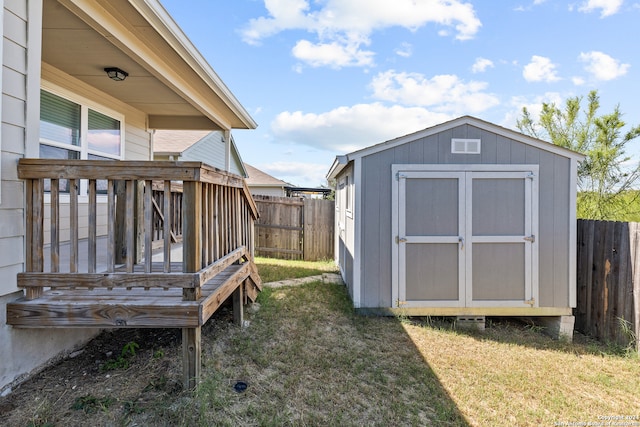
[(308, 359)]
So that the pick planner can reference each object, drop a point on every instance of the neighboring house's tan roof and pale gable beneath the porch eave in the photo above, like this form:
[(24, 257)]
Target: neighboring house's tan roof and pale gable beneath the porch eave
[(202, 146)]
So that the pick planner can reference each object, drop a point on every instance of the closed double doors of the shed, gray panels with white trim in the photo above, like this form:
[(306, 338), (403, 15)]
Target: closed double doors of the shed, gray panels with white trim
[(465, 238)]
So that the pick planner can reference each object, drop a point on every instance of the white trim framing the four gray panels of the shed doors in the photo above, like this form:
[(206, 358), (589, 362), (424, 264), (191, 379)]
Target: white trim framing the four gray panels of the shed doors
[(465, 174)]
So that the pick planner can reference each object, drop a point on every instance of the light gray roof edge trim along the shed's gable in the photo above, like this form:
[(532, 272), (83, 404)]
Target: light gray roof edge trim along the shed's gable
[(341, 161)]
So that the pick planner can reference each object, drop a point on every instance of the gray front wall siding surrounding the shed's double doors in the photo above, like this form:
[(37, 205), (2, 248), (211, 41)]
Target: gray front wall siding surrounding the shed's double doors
[(554, 205)]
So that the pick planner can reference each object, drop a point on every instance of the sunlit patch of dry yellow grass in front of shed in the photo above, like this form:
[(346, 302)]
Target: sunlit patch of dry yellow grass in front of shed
[(513, 375)]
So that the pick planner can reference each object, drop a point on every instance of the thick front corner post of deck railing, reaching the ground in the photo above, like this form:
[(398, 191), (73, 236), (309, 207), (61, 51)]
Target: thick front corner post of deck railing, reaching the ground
[(191, 262)]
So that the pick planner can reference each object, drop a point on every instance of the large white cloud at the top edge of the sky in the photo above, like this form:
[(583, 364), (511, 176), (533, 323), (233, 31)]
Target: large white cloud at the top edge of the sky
[(349, 23)]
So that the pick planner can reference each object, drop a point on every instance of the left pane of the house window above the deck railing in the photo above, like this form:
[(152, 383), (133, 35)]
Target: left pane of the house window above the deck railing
[(59, 119)]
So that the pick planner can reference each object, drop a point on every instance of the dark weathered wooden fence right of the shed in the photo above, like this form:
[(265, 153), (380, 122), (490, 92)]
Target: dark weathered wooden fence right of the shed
[(608, 280)]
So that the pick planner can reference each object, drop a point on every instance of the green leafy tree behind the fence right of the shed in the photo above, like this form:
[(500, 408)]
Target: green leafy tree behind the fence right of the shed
[(607, 178)]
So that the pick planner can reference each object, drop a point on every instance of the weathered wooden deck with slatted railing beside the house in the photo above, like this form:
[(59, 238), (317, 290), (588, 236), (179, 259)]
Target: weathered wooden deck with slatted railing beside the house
[(216, 220)]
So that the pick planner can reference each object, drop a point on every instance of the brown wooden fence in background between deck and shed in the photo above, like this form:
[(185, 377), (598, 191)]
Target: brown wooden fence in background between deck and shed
[(293, 228)]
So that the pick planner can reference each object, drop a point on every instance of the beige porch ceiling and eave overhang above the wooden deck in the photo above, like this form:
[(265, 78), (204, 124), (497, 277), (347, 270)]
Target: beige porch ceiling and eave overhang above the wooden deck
[(168, 79)]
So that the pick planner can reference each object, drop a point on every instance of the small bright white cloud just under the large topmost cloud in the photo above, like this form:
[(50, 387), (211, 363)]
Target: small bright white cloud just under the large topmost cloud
[(334, 54)]
